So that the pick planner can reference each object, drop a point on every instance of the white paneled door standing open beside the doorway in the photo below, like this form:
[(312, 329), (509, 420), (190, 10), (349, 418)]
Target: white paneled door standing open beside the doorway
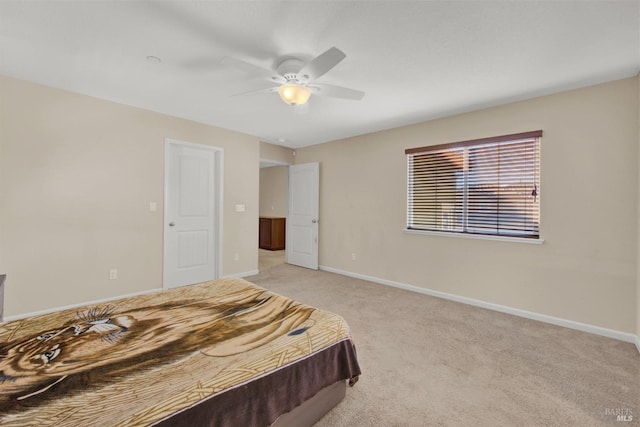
[(302, 221)]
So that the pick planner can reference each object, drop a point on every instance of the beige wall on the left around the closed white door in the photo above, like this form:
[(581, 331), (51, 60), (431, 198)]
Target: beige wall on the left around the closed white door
[(77, 175)]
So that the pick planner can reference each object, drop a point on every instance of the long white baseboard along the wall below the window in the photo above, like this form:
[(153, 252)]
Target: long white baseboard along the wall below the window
[(584, 327)]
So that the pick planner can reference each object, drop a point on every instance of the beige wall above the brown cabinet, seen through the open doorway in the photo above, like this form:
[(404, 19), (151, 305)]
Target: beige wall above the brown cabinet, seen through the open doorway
[(274, 191)]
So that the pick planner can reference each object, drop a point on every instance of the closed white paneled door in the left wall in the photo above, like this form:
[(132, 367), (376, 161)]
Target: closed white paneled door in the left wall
[(191, 213)]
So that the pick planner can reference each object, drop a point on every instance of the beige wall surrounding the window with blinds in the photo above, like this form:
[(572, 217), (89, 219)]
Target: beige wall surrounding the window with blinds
[(586, 269)]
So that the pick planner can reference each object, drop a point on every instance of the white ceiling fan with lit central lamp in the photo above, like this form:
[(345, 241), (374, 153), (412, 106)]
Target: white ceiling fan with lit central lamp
[(296, 80)]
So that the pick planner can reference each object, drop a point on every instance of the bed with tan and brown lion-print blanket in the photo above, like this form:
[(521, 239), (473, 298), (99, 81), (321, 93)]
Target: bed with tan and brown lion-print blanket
[(225, 352)]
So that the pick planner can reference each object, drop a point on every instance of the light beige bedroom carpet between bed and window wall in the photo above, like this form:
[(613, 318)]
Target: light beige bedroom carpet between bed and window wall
[(432, 362)]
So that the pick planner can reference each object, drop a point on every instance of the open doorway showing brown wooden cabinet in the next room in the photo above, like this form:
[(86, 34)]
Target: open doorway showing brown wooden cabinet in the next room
[(274, 179)]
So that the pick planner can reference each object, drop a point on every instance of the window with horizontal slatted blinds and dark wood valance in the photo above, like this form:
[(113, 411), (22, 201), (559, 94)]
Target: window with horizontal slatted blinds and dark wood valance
[(488, 186)]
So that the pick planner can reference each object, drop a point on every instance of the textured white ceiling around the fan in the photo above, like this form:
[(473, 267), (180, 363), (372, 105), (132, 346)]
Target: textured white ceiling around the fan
[(416, 60)]
